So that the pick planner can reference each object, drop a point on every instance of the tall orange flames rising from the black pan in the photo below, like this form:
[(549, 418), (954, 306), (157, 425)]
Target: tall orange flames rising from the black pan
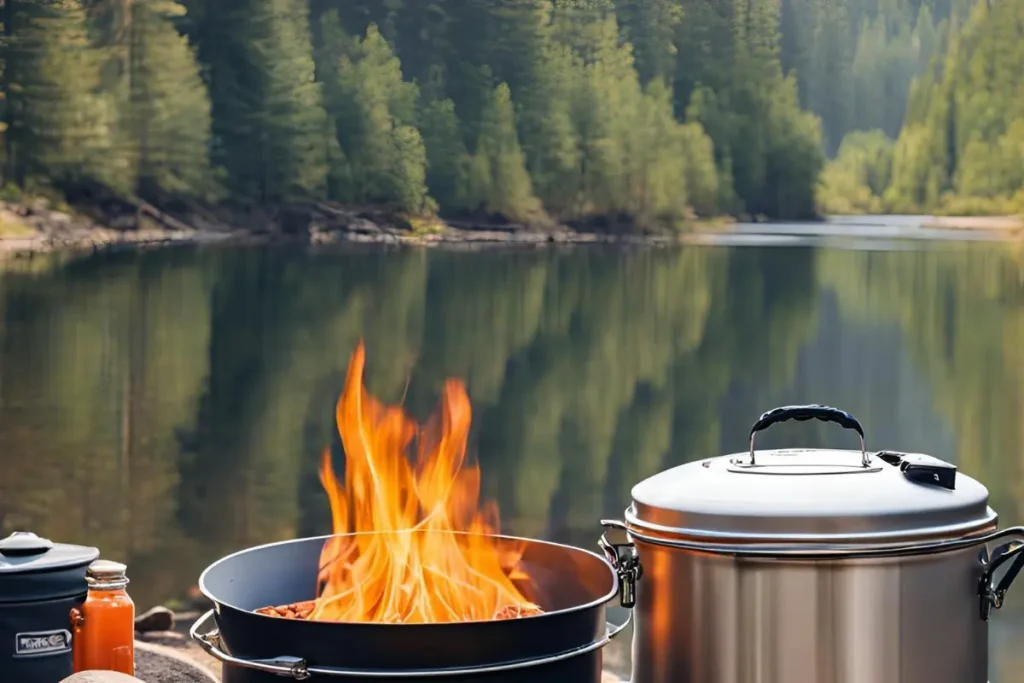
[(416, 568)]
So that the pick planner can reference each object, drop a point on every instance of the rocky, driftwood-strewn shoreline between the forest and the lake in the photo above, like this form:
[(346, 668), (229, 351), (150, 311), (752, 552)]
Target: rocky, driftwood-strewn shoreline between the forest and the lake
[(35, 227)]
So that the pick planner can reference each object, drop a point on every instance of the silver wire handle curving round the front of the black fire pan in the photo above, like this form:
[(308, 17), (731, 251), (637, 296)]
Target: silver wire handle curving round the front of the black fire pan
[(300, 670)]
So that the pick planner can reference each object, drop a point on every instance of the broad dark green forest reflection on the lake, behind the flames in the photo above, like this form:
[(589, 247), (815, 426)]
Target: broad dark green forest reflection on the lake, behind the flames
[(170, 407)]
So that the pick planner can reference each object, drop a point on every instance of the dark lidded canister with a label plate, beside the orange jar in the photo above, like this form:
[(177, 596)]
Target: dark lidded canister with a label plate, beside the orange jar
[(40, 582)]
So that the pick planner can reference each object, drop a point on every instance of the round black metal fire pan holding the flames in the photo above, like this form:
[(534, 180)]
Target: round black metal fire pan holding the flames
[(573, 586)]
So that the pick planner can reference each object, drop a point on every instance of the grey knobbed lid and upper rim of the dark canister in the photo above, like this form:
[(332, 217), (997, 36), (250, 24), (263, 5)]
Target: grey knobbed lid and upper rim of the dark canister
[(34, 569)]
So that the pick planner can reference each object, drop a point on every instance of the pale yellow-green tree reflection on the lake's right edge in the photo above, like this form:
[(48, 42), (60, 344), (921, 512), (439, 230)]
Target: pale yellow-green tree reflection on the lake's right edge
[(962, 313)]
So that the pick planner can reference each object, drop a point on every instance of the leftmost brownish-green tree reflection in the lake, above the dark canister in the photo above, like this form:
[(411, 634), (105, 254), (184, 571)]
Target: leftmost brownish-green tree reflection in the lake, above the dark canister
[(102, 363)]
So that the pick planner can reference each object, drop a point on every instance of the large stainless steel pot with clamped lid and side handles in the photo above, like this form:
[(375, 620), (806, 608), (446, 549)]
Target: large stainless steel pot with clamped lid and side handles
[(814, 567)]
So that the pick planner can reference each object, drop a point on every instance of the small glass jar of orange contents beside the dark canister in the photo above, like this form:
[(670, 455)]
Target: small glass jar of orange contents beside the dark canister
[(105, 625)]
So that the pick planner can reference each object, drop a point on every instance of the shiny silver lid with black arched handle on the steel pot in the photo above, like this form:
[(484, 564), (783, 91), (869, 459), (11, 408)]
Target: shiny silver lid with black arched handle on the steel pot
[(812, 496)]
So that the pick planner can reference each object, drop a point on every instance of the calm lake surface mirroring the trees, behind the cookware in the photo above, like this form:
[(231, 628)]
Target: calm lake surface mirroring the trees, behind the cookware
[(172, 407)]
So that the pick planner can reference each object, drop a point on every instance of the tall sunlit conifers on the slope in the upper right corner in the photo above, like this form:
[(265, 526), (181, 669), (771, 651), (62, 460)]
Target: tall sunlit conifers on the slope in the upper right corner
[(963, 144)]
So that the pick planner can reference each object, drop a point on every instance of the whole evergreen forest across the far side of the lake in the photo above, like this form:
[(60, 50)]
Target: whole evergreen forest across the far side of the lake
[(594, 114)]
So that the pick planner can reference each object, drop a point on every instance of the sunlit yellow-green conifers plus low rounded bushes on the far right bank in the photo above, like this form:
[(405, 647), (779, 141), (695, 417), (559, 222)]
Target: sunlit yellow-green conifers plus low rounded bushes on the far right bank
[(962, 147)]
